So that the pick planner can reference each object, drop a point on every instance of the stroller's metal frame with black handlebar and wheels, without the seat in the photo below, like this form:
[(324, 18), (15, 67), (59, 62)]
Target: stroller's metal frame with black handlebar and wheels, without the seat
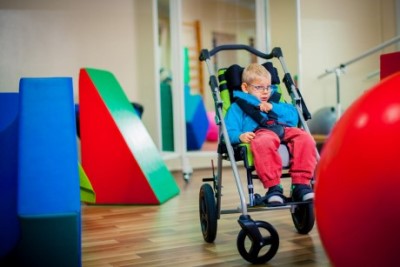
[(210, 196)]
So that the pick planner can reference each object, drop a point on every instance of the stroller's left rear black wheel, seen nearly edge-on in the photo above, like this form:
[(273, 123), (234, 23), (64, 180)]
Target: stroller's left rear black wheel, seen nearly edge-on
[(208, 213)]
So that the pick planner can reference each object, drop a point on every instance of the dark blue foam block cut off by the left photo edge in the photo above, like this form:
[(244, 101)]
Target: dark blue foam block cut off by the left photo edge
[(9, 225)]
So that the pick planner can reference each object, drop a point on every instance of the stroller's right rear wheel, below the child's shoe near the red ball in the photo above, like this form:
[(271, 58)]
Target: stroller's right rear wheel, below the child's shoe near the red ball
[(303, 217)]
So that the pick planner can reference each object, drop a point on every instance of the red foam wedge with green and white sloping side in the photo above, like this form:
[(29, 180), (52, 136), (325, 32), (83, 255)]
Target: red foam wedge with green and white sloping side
[(118, 154)]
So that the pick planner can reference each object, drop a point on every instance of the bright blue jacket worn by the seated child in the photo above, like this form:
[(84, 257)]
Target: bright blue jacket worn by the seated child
[(238, 122)]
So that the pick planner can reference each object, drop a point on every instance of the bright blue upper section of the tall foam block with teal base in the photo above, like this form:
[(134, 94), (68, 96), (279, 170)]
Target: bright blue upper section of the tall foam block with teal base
[(48, 157)]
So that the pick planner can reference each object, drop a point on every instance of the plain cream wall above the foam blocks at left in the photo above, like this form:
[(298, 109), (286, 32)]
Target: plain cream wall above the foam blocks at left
[(45, 38)]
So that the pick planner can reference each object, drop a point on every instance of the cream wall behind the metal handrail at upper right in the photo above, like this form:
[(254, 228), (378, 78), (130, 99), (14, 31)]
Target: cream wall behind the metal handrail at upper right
[(335, 32)]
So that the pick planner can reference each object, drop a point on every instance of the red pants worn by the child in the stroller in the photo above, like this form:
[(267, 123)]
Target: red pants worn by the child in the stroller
[(268, 162)]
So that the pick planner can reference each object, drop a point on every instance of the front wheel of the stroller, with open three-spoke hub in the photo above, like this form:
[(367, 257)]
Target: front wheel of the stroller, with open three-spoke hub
[(255, 253)]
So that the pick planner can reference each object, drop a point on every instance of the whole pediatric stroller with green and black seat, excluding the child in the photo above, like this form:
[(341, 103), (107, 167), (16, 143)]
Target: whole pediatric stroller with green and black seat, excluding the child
[(261, 248)]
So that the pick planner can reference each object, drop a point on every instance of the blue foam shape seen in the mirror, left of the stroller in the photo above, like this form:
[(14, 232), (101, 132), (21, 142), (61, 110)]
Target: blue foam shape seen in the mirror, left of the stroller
[(196, 120)]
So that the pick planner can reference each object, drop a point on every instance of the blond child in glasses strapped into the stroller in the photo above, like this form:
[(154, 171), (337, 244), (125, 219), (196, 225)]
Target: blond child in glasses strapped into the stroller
[(256, 118)]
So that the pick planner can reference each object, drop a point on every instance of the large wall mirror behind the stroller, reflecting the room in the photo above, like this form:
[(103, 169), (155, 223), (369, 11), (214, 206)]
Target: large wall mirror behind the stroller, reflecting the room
[(206, 24)]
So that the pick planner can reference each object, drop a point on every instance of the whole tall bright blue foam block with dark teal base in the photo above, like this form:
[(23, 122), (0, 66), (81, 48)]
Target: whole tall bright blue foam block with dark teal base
[(48, 178)]
